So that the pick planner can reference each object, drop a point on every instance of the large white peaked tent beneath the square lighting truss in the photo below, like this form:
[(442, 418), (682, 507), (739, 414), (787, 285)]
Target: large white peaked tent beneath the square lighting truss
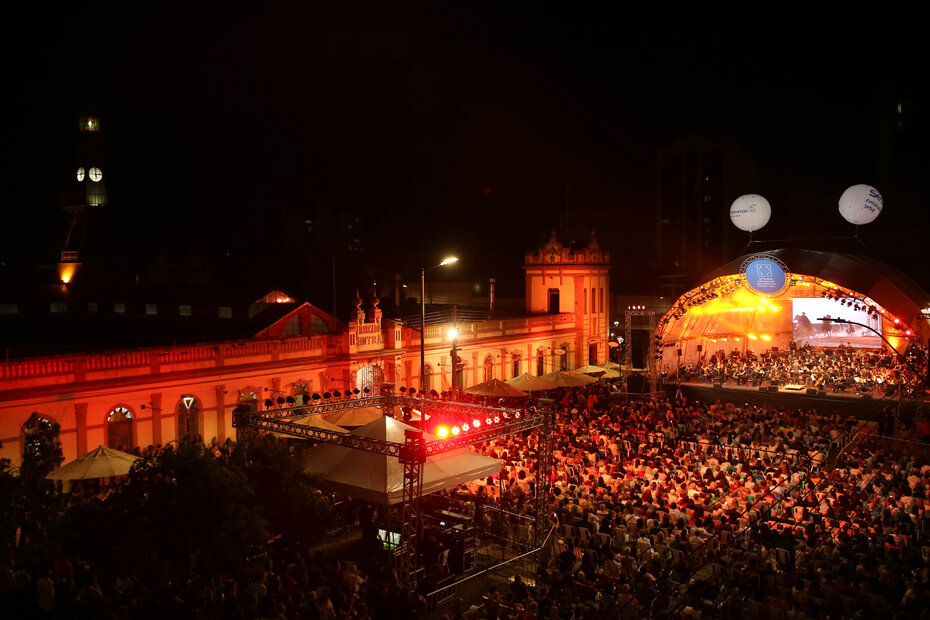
[(379, 478)]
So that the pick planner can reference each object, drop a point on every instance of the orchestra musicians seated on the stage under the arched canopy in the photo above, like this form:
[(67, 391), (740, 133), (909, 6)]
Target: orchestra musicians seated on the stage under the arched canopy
[(843, 369)]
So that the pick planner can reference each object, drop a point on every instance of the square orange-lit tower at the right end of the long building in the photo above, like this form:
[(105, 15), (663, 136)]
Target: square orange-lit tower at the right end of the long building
[(562, 281)]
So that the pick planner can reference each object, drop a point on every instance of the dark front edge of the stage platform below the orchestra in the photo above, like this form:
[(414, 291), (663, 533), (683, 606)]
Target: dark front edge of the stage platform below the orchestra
[(844, 403)]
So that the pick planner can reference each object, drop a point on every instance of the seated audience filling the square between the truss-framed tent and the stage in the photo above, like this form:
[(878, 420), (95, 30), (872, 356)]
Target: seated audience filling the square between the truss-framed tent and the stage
[(686, 510)]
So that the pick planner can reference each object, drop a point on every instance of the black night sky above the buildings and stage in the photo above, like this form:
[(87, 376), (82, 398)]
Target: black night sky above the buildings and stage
[(463, 128)]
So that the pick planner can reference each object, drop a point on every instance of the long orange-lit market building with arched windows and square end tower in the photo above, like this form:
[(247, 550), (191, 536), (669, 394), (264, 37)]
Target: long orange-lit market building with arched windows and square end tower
[(157, 394)]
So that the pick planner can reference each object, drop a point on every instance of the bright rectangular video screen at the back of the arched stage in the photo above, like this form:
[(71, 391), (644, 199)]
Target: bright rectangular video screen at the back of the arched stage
[(813, 323)]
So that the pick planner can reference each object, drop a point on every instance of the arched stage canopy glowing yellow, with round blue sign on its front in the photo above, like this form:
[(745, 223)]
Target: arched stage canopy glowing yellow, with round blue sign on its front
[(729, 312)]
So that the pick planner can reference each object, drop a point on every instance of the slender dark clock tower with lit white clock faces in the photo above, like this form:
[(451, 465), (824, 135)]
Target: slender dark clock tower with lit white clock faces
[(88, 192)]
